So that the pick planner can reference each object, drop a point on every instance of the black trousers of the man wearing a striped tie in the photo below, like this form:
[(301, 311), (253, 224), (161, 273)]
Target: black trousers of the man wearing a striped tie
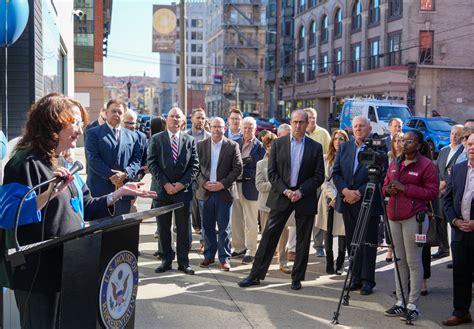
[(181, 217)]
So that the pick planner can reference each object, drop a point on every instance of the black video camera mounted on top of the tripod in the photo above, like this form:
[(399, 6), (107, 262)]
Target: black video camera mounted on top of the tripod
[(374, 157)]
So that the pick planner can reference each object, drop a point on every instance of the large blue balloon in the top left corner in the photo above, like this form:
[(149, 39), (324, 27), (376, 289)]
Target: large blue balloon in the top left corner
[(18, 12)]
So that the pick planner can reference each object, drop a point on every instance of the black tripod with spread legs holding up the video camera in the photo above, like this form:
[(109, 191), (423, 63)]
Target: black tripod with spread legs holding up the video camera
[(358, 239)]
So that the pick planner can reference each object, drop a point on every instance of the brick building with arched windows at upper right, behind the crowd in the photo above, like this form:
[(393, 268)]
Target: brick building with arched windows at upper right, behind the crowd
[(395, 48)]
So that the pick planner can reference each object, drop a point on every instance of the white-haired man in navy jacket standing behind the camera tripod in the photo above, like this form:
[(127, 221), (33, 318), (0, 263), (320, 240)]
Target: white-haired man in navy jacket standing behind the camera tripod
[(351, 178)]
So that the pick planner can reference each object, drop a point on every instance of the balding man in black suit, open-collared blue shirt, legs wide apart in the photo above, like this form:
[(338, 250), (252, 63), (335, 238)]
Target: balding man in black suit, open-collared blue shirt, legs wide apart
[(296, 171)]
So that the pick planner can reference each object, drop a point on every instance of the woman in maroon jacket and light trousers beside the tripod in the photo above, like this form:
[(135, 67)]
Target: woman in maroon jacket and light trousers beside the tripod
[(410, 183)]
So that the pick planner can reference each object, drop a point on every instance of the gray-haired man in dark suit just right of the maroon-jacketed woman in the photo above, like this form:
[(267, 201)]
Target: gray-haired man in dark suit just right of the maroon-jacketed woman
[(446, 159)]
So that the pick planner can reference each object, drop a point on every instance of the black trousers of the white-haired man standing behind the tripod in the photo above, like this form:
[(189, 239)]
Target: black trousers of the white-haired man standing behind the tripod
[(364, 264)]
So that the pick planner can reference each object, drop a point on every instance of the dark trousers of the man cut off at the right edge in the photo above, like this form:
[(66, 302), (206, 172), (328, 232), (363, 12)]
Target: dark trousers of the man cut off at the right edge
[(463, 266)]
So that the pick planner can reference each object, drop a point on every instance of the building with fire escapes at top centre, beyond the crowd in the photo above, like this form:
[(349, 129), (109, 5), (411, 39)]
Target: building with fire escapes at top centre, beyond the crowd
[(236, 51)]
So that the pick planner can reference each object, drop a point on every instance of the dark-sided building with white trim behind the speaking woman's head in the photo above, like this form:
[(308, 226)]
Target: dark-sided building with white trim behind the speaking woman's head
[(40, 62)]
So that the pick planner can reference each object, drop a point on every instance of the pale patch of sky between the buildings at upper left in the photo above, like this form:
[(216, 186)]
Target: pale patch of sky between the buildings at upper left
[(129, 47)]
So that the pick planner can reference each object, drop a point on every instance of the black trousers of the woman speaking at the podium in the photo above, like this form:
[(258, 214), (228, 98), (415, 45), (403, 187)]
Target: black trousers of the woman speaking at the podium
[(40, 310)]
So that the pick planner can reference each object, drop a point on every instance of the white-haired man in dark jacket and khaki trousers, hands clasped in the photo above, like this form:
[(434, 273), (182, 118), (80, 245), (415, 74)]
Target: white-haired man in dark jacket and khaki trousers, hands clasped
[(244, 209)]
